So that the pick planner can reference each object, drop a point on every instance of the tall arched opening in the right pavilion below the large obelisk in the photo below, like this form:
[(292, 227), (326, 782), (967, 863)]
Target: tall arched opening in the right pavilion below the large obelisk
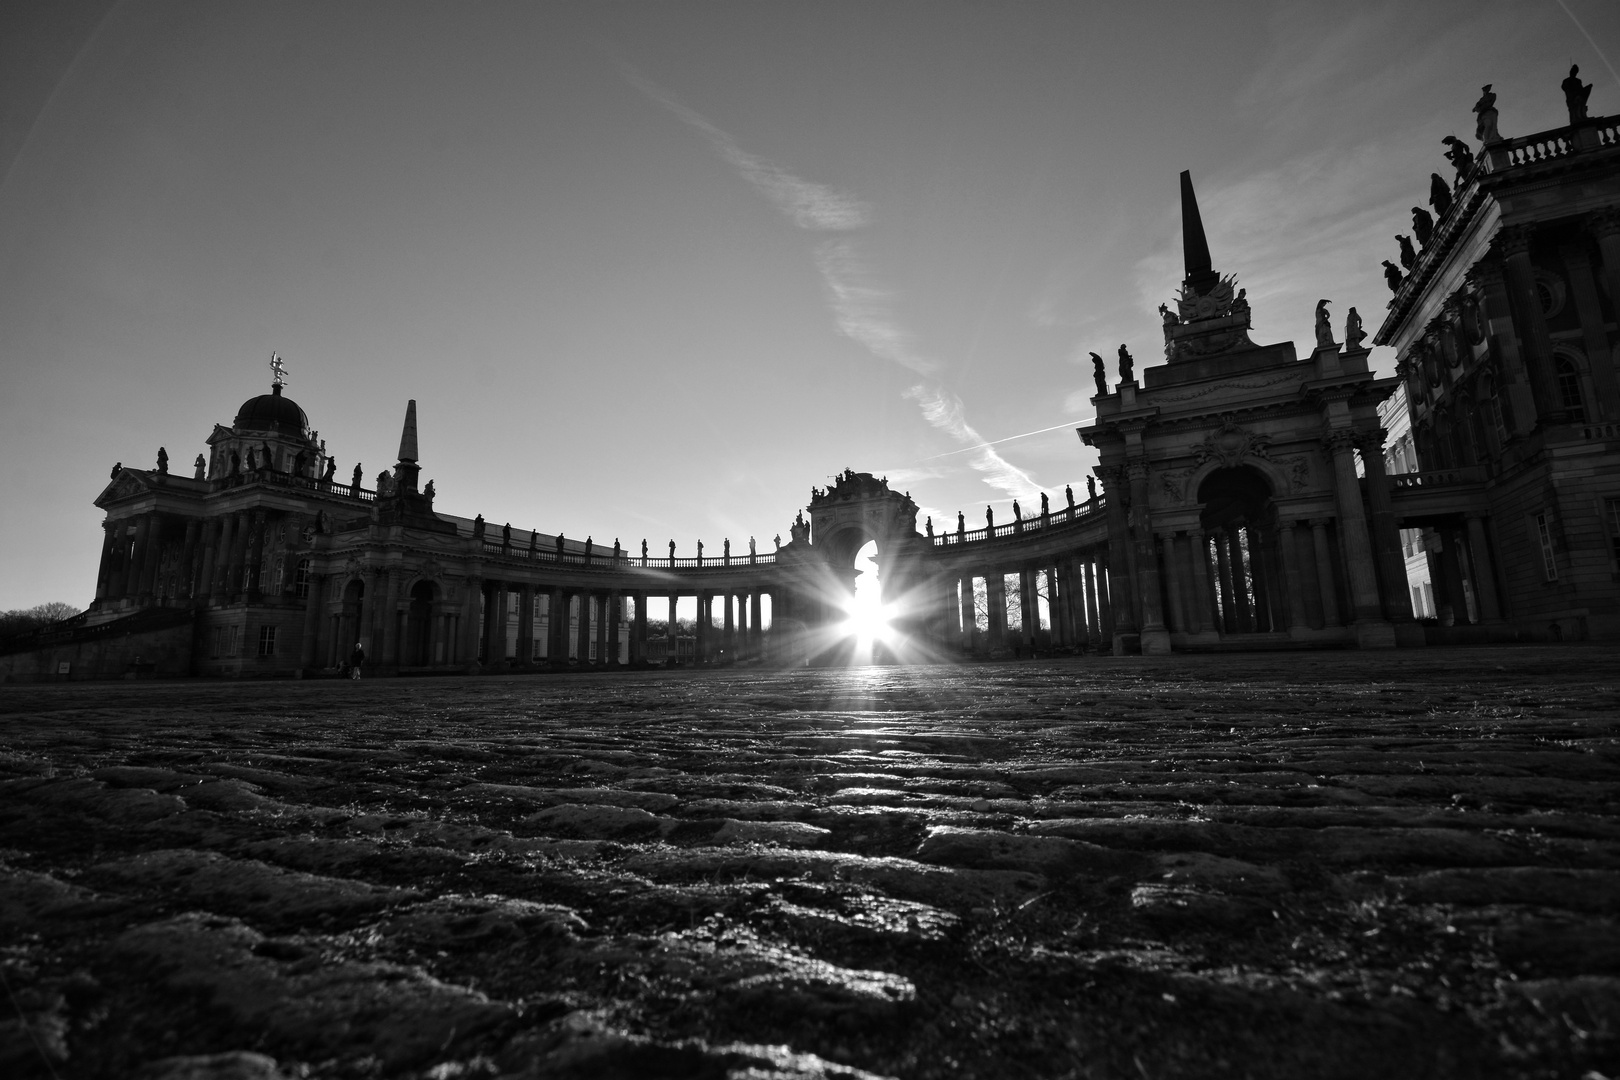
[(1242, 551)]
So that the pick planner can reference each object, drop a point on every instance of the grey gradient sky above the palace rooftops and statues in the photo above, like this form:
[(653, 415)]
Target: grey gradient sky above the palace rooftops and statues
[(657, 270)]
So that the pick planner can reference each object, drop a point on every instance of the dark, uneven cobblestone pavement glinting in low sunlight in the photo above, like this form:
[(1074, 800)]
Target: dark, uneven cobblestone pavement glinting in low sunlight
[(1318, 865)]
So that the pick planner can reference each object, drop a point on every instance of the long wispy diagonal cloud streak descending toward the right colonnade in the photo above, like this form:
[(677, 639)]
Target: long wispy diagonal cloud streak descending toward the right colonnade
[(863, 308)]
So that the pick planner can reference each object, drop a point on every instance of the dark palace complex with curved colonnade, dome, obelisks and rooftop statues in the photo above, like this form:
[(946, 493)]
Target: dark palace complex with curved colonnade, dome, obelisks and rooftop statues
[(1251, 498)]
